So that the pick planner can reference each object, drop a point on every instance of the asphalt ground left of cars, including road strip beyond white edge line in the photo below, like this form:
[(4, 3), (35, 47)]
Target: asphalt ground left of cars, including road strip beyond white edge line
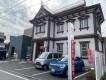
[(10, 70)]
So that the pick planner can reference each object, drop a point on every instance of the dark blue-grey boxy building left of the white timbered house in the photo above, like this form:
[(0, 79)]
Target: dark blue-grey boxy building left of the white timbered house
[(21, 45)]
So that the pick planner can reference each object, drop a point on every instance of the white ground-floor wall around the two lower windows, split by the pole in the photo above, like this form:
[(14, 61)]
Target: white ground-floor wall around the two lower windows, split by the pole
[(77, 45)]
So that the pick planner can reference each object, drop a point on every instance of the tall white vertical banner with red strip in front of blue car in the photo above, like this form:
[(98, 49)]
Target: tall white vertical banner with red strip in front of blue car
[(71, 52)]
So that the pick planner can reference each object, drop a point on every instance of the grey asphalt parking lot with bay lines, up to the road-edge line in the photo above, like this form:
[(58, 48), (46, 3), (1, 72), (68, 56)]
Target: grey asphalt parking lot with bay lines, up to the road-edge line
[(28, 71)]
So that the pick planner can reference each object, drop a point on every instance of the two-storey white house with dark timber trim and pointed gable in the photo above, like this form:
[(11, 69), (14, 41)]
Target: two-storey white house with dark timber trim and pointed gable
[(51, 29)]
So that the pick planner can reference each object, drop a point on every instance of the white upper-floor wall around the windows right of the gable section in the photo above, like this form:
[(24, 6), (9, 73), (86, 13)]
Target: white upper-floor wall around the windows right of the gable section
[(77, 26)]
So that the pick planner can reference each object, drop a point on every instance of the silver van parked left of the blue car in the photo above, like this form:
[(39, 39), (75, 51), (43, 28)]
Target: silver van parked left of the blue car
[(45, 58)]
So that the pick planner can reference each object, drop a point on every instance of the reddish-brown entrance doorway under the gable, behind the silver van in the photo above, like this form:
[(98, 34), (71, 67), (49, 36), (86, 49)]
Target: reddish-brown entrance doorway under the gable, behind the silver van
[(39, 48)]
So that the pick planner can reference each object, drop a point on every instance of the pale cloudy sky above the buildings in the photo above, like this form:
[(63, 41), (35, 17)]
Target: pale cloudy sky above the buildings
[(15, 14)]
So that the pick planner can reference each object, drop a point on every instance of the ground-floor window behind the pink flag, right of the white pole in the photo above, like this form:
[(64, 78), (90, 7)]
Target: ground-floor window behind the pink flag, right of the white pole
[(83, 48)]
